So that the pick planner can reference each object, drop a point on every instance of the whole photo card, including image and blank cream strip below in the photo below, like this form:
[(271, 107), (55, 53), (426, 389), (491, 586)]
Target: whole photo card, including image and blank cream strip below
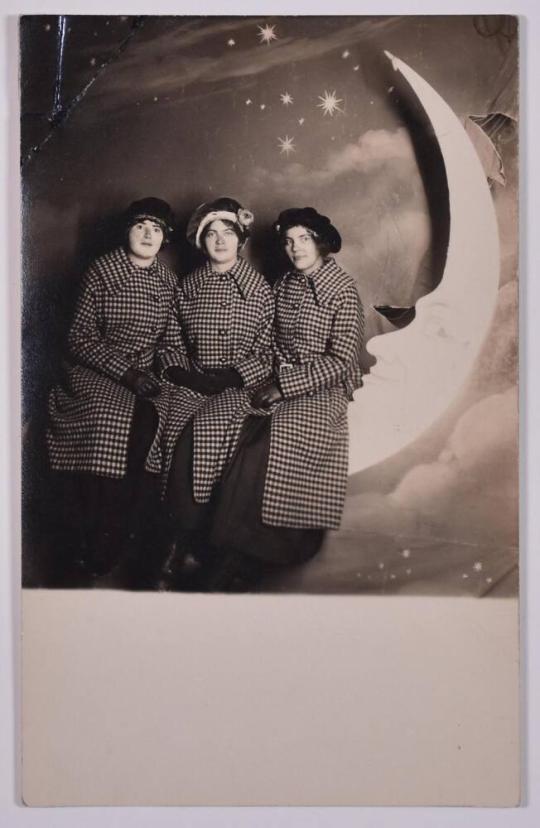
[(269, 292)]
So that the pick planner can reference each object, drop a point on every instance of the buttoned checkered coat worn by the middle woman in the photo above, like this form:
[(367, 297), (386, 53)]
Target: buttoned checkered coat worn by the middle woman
[(226, 322)]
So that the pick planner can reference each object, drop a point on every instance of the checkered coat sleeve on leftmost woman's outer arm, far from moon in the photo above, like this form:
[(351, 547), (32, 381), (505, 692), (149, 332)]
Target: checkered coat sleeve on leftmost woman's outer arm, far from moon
[(86, 342)]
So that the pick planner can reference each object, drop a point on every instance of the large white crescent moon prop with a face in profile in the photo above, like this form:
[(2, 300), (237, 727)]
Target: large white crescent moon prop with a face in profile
[(420, 369)]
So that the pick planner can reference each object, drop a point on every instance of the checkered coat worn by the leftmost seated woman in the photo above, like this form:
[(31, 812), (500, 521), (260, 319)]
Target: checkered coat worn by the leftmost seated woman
[(124, 319)]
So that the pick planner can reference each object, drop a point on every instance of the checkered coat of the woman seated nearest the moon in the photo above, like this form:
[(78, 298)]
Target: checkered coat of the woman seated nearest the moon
[(317, 338)]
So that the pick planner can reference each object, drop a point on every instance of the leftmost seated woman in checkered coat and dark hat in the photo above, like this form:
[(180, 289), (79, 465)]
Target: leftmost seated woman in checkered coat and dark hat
[(102, 419)]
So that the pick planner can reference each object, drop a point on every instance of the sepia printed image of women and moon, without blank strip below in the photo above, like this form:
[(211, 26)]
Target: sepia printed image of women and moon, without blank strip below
[(270, 304)]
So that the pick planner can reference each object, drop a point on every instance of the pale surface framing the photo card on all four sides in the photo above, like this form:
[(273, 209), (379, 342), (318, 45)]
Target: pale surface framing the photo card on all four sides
[(10, 813)]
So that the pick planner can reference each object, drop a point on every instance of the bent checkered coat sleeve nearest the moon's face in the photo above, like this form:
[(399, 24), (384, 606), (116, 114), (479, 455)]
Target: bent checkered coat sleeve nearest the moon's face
[(340, 360)]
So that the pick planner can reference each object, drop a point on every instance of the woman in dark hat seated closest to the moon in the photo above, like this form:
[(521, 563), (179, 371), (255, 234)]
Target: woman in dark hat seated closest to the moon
[(287, 480)]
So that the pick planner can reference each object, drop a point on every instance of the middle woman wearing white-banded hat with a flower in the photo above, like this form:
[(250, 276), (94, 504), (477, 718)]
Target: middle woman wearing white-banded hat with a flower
[(225, 309)]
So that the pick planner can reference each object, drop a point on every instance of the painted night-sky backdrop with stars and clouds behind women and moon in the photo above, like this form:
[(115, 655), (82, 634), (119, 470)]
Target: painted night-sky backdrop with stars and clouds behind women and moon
[(281, 112)]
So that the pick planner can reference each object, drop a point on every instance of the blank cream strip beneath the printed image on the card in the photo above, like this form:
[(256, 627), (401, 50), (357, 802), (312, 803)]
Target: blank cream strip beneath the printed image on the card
[(145, 699)]
